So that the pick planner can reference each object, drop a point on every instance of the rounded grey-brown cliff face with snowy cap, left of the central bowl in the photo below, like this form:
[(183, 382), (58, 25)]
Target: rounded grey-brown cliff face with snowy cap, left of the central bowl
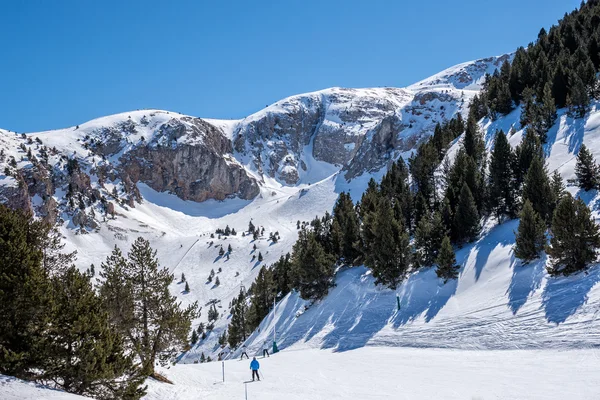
[(197, 168)]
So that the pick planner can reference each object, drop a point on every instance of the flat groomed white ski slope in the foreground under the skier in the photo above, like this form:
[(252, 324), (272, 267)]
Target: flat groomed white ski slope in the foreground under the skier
[(392, 373)]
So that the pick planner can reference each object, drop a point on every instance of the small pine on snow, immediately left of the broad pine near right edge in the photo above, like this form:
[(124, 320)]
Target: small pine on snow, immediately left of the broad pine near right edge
[(530, 238)]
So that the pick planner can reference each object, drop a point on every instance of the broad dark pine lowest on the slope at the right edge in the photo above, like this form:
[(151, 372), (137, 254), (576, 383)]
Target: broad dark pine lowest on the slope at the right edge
[(575, 237)]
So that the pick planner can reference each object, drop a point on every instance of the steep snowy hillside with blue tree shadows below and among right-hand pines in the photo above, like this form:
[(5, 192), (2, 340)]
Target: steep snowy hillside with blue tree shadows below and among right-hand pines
[(496, 303)]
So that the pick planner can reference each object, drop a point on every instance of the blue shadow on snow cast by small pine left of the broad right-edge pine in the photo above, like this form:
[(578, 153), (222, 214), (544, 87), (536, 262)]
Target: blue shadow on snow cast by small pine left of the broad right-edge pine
[(525, 280)]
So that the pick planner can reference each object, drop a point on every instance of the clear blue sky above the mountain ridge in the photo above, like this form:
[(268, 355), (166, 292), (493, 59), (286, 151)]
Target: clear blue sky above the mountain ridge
[(64, 62)]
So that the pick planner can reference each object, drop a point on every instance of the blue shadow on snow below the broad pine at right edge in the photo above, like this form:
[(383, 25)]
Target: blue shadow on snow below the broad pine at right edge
[(563, 296)]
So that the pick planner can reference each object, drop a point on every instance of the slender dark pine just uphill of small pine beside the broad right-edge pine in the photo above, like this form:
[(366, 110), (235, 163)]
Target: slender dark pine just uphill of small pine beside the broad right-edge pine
[(537, 189)]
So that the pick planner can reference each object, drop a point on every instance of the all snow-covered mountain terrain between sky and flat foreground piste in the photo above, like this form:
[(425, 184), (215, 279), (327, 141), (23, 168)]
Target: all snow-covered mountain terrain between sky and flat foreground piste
[(175, 179)]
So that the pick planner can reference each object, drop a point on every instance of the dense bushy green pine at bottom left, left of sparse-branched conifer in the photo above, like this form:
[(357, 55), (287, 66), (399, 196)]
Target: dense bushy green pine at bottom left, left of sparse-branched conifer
[(85, 354)]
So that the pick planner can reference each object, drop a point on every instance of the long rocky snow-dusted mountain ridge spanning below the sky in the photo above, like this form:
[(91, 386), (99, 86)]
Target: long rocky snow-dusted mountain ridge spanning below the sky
[(300, 139)]
